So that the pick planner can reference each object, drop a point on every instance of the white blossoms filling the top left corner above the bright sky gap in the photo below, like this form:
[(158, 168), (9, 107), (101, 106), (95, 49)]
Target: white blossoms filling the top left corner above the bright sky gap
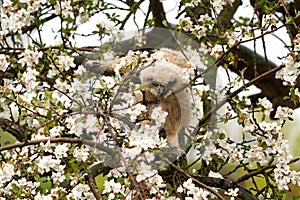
[(15, 17)]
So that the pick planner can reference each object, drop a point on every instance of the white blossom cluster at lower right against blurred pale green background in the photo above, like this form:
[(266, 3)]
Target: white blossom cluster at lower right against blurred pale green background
[(270, 146)]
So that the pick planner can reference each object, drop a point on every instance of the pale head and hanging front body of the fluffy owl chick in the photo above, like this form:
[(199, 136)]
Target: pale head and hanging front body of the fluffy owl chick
[(164, 86)]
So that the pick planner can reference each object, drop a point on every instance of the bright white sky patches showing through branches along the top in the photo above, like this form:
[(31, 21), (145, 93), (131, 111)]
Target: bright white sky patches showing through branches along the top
[(275, 48)]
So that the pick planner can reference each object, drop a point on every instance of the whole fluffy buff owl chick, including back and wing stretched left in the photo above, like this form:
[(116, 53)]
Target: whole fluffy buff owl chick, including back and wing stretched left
[(164, 86)]
